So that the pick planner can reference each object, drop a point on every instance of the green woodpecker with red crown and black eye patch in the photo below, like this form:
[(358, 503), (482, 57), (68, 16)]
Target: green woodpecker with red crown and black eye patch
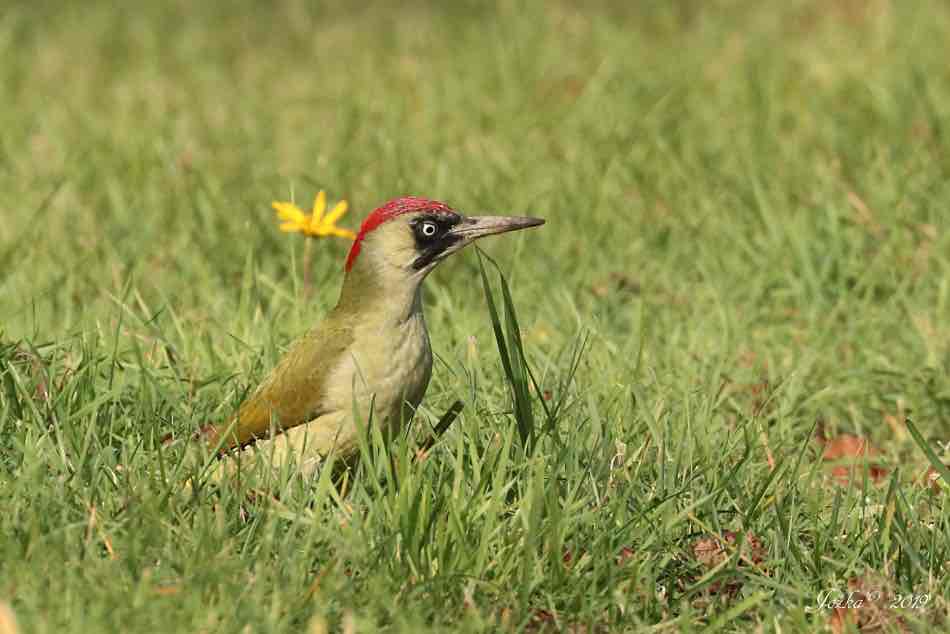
[(369, 359)]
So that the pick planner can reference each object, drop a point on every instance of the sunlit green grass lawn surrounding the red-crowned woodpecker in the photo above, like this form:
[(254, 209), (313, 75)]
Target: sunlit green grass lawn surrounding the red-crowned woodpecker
[(747, 216)]
